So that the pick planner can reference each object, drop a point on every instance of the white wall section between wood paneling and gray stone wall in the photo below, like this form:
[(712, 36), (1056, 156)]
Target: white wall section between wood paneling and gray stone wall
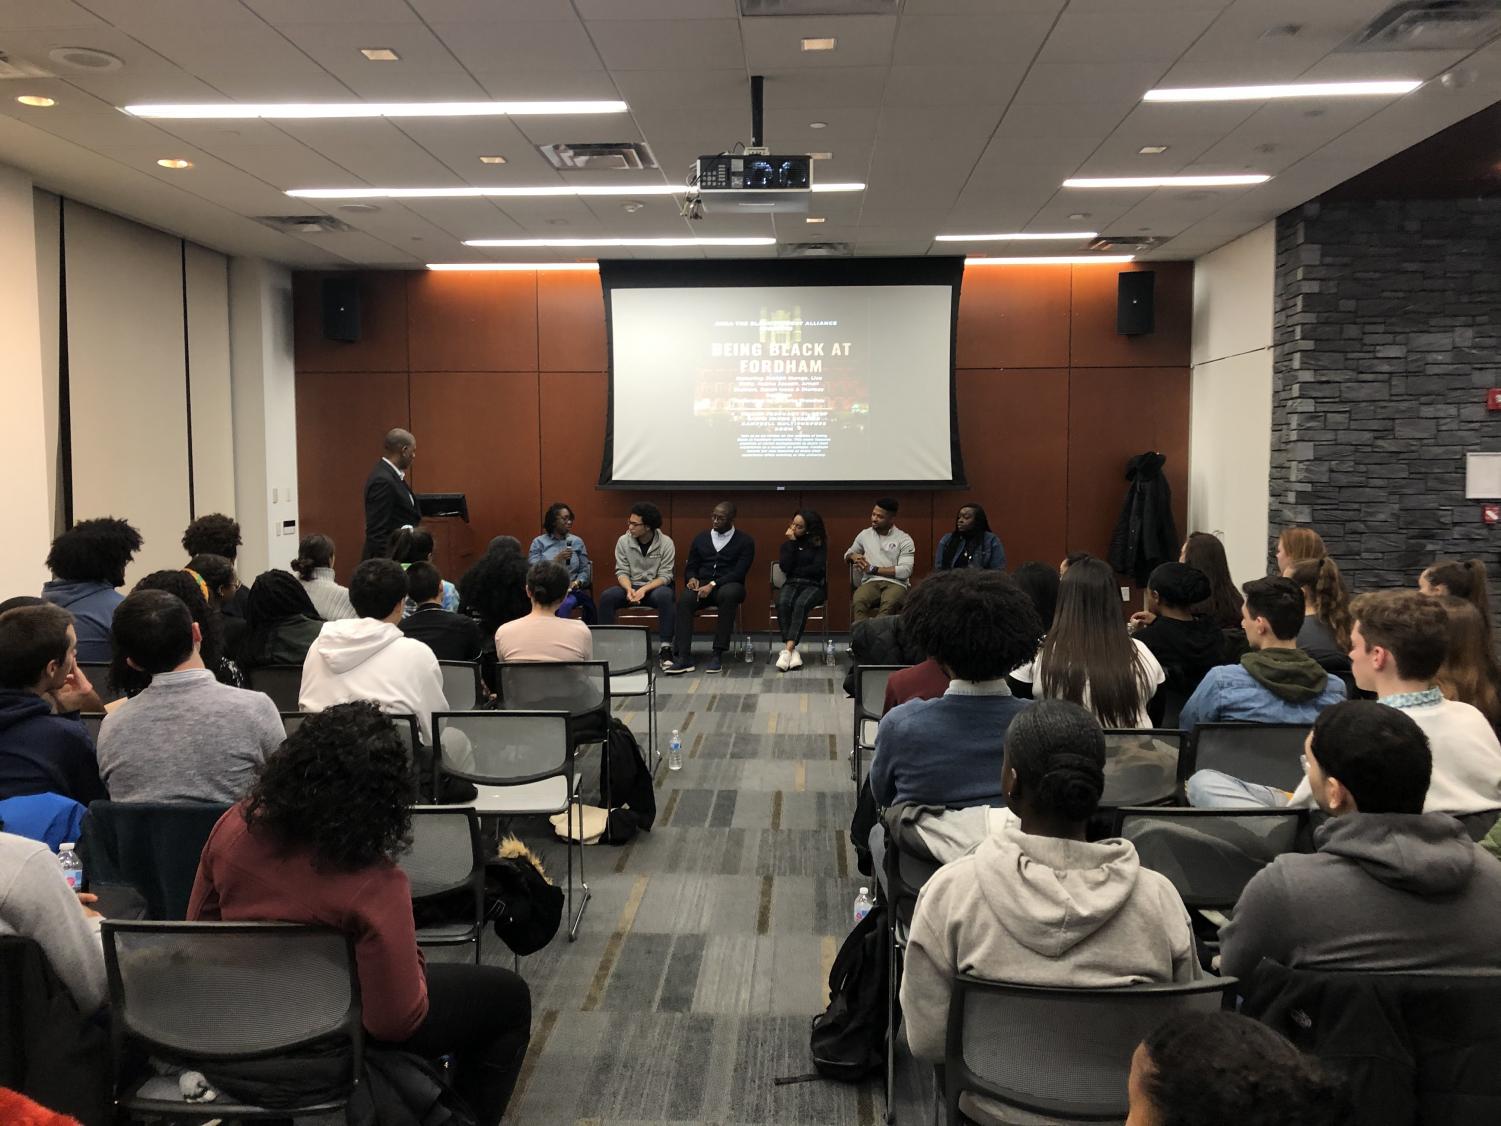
[(1230, 420)]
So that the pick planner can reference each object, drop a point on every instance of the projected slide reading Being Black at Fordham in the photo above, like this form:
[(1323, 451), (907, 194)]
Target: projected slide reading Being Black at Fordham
[(784, 385)]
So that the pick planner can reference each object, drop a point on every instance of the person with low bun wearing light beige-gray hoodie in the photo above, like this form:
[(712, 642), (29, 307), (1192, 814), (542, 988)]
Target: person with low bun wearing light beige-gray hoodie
[(1036, 903)]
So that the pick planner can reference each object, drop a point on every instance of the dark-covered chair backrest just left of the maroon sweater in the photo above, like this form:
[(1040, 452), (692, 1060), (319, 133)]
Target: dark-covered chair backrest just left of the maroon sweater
[(151, 846)]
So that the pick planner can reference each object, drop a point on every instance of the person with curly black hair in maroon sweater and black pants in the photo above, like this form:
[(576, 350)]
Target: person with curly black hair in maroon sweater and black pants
[(316, 843)]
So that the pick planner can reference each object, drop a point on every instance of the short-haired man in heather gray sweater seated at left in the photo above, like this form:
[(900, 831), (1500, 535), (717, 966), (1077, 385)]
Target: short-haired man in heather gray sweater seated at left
[(185, 738)]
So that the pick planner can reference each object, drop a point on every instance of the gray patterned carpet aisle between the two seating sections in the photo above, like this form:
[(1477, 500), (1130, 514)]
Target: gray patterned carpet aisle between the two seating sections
[(708, 944)]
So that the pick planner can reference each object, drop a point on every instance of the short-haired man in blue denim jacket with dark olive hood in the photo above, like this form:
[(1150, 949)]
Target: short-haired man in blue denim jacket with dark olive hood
[(1275, 684)]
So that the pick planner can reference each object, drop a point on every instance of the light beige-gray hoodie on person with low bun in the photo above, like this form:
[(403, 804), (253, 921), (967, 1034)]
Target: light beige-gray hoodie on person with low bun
[(1039, 911)]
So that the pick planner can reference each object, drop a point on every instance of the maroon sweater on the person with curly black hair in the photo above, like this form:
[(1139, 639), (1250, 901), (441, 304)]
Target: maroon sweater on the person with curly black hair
[(245, 878)]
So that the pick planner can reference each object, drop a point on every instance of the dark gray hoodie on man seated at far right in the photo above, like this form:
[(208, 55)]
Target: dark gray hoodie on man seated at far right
[(1385, 893)]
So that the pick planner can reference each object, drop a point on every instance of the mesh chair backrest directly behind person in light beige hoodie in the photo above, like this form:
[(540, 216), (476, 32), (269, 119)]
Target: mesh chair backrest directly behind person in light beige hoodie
[(1059, 1052)]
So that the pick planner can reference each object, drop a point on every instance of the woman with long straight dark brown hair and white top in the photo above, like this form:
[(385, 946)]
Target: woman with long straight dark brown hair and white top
[(1089, 657)]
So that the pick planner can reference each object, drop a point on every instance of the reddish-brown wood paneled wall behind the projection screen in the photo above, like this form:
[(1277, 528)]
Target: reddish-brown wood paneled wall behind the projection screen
[(502, 378)]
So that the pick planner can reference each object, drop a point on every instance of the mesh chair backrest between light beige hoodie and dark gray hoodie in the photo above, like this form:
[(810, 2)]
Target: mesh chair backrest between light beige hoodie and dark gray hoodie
[(1211, 855)]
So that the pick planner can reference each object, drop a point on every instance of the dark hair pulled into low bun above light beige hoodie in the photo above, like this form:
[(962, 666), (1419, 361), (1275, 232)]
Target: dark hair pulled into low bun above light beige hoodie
[(1057, 753)]
